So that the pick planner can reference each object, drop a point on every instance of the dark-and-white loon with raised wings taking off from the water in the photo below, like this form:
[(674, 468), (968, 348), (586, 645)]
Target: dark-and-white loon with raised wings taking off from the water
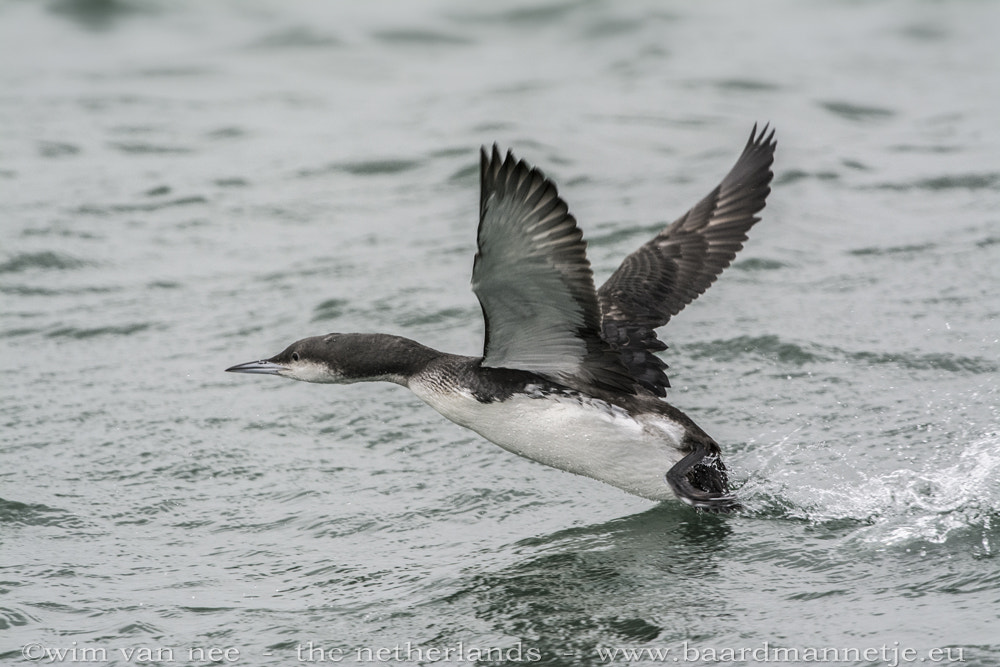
[(569, 375)]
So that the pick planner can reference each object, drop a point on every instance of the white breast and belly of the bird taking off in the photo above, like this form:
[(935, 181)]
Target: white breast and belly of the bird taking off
[(582, 435)]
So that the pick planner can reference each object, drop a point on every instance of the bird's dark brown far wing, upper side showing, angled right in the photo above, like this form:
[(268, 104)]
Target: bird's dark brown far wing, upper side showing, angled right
[(656, 281)]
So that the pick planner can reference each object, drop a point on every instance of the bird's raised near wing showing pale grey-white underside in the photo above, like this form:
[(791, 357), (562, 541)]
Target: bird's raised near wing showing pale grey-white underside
[(534, 282)]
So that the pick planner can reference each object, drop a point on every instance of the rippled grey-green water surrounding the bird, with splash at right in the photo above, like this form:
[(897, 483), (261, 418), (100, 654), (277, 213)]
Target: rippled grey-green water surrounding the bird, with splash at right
[(188, 185)]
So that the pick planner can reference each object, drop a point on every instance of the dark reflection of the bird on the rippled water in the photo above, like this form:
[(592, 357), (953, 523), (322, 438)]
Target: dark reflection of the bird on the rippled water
[(635, 579)]
